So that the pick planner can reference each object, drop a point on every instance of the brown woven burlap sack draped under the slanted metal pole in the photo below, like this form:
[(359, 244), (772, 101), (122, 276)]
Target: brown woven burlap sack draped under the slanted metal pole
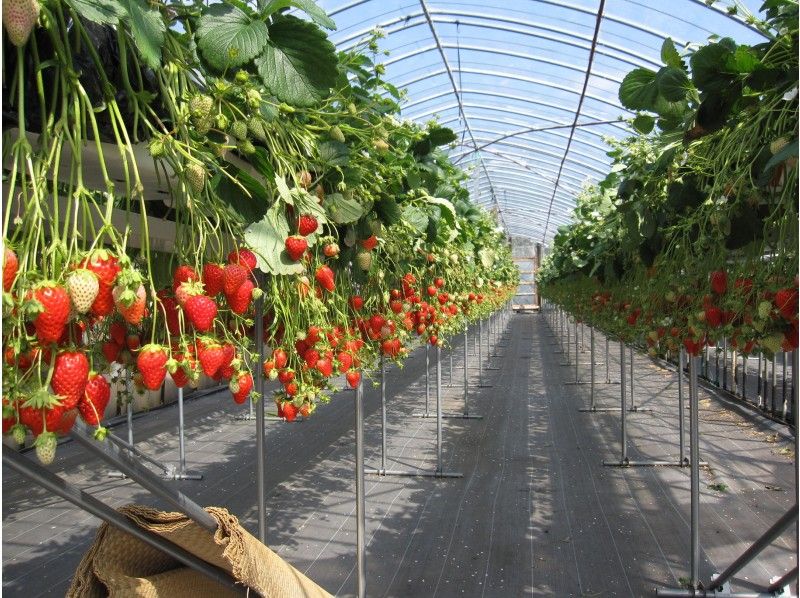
[(117, 564)]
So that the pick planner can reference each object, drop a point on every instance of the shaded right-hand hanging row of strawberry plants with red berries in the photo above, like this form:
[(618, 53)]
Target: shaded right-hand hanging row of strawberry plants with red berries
[(693, 236)]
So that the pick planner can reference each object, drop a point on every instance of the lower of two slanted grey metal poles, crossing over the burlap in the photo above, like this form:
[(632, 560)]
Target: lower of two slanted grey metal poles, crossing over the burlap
[(52, 483)]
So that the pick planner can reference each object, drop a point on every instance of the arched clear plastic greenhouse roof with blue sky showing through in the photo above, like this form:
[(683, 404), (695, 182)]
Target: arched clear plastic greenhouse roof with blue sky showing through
[(529, 86)]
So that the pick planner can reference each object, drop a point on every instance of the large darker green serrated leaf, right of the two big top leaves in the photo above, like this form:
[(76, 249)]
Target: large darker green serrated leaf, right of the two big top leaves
[(299, 62)]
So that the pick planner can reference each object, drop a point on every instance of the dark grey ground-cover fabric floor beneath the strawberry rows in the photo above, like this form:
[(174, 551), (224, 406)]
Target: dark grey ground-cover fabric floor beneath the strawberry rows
[(535, 513)]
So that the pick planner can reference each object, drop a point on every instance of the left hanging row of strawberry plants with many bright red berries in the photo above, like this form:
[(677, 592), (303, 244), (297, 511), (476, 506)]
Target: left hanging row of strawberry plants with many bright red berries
[(166, 166)]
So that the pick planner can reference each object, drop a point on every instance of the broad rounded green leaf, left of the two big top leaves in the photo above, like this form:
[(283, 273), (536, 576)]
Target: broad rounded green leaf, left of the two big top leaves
[(229, 37)]
